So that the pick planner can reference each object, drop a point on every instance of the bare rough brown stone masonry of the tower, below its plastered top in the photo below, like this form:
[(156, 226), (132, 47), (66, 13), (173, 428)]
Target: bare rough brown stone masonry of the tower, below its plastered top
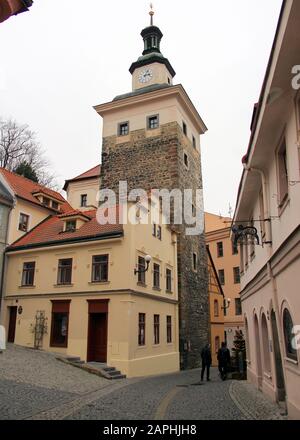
[(158, 162)]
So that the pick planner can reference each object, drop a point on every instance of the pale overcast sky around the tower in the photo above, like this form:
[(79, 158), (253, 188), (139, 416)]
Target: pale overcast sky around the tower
[(64, 56)]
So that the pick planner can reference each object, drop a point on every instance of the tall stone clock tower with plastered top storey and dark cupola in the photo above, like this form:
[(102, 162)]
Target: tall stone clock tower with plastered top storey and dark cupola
[(151, 139)]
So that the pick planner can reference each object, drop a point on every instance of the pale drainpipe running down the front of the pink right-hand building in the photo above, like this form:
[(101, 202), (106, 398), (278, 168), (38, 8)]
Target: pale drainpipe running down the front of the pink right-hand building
[(269, 267)]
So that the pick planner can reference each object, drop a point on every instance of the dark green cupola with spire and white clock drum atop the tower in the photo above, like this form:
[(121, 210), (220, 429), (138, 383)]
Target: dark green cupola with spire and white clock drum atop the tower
[(152, 67)]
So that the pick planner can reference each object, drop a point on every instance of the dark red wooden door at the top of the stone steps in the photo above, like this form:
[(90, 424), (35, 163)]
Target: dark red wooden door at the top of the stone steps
[(97, 337)]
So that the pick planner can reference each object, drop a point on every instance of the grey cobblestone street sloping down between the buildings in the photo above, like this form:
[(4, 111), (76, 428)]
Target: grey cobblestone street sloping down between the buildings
[(34, 385)]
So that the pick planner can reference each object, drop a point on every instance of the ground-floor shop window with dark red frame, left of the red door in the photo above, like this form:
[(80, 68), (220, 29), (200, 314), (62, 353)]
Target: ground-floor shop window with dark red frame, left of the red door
[(59, 324)]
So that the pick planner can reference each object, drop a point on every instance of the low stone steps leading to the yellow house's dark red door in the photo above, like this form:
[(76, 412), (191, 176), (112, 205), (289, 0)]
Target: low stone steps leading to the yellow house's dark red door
[(100, 369)]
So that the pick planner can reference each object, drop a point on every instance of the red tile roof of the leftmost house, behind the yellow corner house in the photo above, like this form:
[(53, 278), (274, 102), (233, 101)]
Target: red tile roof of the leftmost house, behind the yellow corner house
[(25, 188)]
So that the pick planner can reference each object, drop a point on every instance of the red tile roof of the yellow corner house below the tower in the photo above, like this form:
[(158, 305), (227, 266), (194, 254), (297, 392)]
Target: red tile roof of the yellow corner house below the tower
[(50, 231)]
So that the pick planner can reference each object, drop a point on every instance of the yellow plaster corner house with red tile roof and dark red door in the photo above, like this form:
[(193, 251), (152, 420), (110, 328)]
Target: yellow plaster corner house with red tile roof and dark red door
[(77, 276)]
